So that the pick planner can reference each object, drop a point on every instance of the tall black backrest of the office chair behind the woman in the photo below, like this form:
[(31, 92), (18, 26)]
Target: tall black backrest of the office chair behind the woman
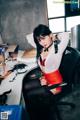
[(68, 65)]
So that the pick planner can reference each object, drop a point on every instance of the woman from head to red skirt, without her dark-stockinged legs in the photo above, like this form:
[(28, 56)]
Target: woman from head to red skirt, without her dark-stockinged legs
[(49, 54)]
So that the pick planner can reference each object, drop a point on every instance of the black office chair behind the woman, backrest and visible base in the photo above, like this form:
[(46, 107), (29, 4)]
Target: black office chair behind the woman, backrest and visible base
[(69, 68)]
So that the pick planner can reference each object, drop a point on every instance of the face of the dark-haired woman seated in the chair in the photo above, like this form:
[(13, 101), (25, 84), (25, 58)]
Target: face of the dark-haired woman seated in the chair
[(45, 41)]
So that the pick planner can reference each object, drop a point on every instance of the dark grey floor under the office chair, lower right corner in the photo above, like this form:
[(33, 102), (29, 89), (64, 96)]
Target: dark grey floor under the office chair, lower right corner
[(72, 114)]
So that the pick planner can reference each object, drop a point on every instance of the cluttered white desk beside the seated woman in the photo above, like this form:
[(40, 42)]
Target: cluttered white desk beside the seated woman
[(15, 96)]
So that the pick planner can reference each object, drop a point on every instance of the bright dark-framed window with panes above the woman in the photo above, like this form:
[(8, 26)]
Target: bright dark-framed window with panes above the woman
[(60, 14)]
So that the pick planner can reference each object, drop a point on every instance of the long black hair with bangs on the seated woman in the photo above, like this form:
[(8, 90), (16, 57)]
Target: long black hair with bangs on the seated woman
[(40, 30)]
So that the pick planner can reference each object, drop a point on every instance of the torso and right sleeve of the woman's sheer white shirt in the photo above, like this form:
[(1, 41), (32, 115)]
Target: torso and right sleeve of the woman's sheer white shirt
[(53, 59)]
